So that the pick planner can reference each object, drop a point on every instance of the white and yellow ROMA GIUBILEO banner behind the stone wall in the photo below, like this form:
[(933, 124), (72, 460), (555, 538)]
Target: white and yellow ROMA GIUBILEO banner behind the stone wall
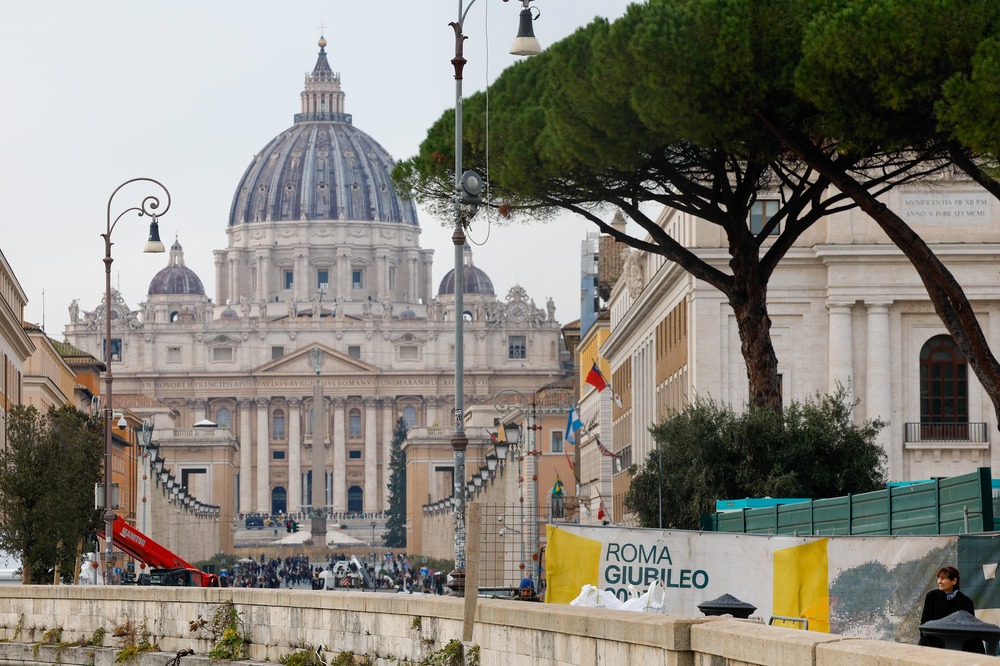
[(869, 587)]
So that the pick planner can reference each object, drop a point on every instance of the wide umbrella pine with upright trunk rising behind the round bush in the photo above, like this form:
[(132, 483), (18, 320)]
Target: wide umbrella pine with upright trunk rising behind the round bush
[(661, 107)]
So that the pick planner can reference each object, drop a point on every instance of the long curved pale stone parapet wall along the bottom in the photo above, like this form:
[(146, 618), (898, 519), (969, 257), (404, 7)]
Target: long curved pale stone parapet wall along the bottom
[(409, 628)]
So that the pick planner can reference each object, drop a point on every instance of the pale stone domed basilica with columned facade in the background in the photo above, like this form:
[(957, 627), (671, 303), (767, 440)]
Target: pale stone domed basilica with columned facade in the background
[(324, 330)]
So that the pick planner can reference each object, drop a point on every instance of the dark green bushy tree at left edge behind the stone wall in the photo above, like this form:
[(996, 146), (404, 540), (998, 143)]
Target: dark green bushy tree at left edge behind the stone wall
[(47, 477)]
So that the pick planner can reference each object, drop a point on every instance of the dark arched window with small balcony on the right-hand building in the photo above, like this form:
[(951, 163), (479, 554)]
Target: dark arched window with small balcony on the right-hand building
[(944, 389)]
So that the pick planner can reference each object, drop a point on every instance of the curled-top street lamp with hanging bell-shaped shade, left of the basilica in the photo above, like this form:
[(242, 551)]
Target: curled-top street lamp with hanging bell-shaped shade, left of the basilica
[(150, 206)]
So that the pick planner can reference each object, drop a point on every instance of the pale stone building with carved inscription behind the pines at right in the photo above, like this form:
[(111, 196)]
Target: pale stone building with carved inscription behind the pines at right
[(846, 307)]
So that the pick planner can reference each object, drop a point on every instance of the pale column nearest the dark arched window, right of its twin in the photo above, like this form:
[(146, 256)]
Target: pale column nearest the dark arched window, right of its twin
[(878, 380)]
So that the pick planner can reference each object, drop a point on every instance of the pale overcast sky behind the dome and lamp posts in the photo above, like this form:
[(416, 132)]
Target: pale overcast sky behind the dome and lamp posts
[(186, 92)]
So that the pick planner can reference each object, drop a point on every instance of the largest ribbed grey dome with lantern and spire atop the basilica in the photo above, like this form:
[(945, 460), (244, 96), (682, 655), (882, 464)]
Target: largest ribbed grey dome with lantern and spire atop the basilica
[(322, 167)]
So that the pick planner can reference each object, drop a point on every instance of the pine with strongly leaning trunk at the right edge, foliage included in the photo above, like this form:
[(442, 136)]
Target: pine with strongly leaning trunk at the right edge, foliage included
[(891, 80)]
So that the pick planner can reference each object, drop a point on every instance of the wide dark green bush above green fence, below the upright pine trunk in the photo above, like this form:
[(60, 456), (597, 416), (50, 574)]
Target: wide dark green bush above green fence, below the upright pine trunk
[(813, 449)]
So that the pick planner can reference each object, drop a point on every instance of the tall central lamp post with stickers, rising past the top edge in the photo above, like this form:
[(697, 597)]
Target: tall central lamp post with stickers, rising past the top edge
[(468, 187)]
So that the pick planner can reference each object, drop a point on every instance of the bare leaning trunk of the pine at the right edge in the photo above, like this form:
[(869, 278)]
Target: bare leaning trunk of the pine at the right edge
[(950, 301)]
